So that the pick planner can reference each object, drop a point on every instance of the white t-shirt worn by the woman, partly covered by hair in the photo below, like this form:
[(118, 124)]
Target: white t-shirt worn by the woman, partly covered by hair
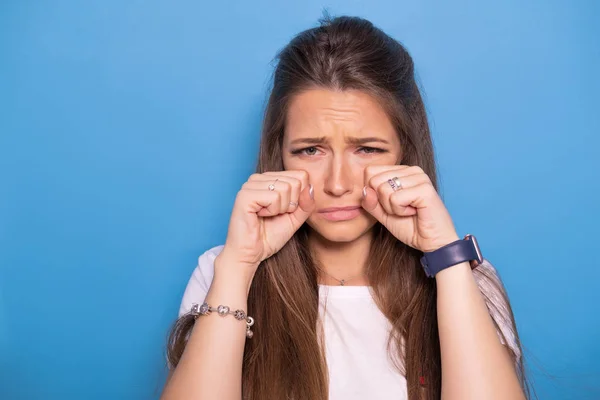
[(355, 333)]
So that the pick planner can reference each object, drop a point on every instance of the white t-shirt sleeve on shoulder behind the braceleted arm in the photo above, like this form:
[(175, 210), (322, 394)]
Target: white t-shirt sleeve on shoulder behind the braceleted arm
[(200, 280)]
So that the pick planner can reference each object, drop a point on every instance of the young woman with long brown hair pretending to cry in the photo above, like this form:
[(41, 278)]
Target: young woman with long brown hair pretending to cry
[(342, 275)]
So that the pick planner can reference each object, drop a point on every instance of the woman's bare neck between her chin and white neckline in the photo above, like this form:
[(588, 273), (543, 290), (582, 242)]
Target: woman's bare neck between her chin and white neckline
[(341, 261)]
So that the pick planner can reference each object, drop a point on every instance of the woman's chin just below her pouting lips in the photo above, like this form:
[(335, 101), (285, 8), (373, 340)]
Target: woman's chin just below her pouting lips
[(341, 231)]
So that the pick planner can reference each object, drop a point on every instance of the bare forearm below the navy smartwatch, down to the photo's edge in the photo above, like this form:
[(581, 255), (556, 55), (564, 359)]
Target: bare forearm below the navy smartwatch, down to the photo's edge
[(475, 365)]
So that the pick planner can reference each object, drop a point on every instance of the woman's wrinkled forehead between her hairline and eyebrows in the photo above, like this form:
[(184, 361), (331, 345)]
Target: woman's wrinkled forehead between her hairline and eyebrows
[(329, 112)]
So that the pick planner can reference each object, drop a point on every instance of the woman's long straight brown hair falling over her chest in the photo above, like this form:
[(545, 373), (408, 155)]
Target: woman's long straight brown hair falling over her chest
[(285, 359)]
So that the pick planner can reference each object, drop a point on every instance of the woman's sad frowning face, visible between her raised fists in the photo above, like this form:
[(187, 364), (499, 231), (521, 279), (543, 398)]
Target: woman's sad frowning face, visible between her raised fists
[(334, 135)]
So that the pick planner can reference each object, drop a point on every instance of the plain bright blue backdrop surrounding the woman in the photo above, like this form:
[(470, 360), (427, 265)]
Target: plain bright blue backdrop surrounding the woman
[(127, 128)]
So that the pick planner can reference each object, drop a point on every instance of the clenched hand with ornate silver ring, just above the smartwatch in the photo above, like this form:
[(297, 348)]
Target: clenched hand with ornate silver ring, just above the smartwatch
[(414, 214)]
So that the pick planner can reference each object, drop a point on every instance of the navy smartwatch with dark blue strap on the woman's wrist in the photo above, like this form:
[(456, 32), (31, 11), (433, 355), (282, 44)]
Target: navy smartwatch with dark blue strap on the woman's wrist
[(466, 249)]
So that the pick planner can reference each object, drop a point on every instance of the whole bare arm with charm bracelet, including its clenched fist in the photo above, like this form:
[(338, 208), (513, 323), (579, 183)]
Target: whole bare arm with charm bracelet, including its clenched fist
[(268, 210)]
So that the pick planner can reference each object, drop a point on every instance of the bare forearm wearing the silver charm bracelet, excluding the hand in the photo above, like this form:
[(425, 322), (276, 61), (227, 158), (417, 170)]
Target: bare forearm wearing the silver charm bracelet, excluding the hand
[(211, 364)]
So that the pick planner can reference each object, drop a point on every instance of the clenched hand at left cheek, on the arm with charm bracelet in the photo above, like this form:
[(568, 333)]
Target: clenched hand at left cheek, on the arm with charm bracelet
[(263, 220)]
